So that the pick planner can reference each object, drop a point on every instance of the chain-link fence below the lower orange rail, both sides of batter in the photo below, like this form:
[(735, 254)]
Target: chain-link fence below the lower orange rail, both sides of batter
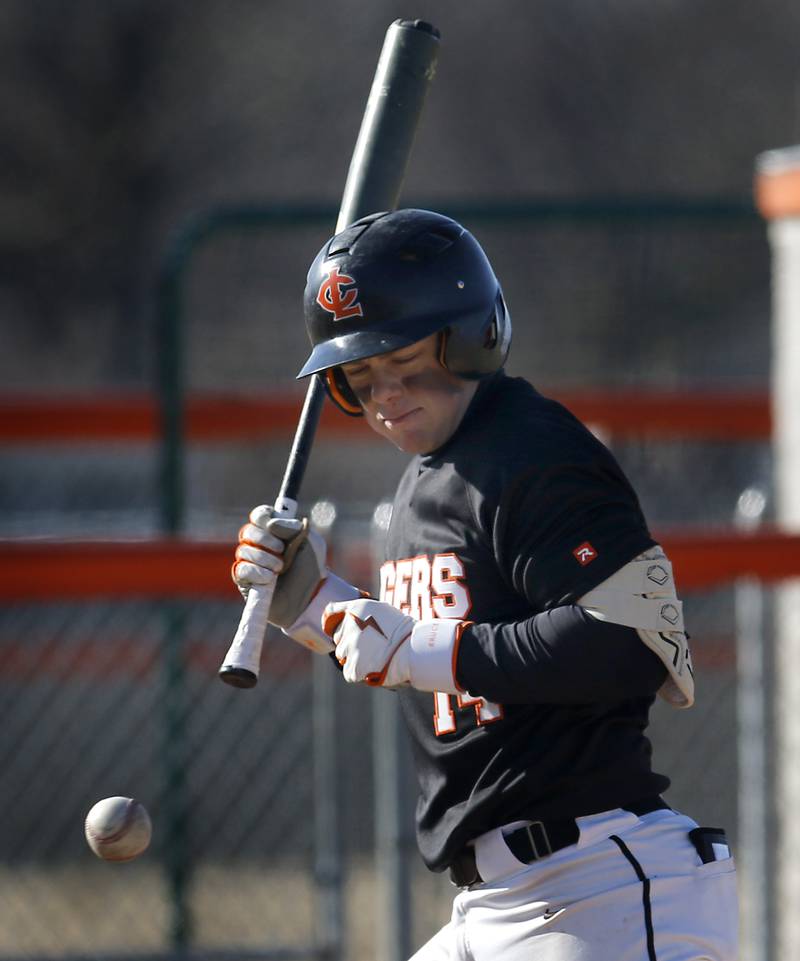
[(121, 697)]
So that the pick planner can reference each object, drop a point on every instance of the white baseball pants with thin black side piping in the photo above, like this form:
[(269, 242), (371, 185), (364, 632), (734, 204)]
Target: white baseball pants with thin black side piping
[(631, 889)]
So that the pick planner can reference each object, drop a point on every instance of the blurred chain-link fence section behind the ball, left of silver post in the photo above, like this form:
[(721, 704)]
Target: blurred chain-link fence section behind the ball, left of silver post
[(119, 698)]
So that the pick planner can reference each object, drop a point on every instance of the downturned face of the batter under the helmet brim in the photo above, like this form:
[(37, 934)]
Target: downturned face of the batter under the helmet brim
[(408, 397)]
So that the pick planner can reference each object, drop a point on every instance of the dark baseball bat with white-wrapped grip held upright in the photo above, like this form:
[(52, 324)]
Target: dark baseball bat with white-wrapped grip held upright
[(405, 70)]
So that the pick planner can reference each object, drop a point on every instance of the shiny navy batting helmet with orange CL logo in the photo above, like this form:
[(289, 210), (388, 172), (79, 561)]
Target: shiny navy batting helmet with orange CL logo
[(391, 279)]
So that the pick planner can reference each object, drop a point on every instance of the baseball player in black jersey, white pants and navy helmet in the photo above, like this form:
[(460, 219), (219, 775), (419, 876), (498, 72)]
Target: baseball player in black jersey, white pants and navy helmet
[(526, 618)]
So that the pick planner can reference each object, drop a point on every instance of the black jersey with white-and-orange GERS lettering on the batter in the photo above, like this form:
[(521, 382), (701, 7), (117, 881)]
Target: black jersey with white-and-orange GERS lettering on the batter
[(517, 516)]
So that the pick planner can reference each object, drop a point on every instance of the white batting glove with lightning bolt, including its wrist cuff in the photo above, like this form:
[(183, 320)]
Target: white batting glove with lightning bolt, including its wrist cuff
[(377, 644)]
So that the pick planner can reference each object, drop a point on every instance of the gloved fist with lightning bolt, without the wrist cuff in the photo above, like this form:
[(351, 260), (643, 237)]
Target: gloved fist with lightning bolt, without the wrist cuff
[(371, 641)]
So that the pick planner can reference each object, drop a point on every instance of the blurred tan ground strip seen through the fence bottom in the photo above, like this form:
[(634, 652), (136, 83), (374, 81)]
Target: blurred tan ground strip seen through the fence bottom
[(99, 910)]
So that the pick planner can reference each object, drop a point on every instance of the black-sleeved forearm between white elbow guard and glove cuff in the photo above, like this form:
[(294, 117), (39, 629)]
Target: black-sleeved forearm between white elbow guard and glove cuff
[(562, 656)]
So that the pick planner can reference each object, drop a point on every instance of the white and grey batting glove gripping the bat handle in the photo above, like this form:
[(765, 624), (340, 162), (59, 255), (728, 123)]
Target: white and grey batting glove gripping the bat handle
[(285, 551)]
